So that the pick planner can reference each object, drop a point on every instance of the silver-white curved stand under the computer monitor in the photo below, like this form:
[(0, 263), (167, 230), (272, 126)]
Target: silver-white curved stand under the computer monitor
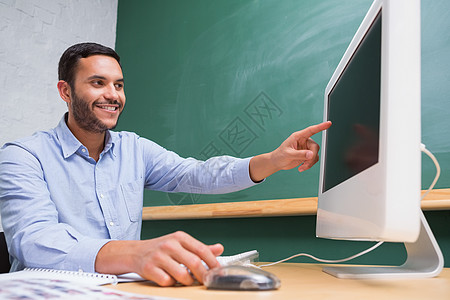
[(424, 259)]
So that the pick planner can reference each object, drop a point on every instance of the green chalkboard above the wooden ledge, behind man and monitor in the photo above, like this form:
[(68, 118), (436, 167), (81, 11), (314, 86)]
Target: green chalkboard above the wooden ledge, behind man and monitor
[(237, 77)]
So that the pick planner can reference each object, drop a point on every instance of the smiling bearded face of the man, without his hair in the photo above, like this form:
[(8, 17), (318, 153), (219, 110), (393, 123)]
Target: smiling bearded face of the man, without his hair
[(97, 97)]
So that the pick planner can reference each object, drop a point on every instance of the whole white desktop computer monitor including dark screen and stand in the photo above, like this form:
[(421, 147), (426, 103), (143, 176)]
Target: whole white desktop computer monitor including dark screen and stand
[(370, 172)]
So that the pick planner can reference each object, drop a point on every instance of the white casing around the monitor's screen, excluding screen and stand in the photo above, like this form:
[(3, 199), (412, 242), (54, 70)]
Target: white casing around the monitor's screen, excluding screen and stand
[(383, 201)]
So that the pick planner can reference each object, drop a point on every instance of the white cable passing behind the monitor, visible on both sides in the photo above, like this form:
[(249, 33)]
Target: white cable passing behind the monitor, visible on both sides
[(438, 173)]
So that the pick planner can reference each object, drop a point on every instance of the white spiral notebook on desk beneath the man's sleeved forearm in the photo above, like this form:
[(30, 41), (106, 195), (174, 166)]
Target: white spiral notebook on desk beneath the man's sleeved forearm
[(71, 276)]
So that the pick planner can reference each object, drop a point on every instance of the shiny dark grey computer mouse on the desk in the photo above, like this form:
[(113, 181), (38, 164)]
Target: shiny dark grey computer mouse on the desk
[(238, 277)]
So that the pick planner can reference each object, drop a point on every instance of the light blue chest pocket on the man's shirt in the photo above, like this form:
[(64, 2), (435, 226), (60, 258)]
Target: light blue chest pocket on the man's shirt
[(132, 193)]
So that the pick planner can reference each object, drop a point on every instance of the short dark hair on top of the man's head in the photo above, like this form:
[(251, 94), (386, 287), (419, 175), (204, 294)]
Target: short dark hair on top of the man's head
[(69, 60)]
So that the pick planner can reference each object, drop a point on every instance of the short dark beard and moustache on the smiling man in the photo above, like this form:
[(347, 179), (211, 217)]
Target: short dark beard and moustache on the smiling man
[(85, 117)]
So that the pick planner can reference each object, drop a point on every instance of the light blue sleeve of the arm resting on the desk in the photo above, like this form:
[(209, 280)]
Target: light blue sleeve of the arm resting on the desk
[(35, 236)]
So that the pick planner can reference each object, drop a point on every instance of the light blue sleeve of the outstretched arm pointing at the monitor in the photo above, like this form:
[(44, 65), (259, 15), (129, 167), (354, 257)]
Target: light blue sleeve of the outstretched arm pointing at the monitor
[(168, 172)]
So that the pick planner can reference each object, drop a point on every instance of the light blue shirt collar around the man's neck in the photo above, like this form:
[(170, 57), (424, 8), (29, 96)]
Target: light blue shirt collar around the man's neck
[(70, 144)]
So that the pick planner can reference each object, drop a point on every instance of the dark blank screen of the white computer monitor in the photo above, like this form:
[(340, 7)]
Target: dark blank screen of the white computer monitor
[(352, 142)]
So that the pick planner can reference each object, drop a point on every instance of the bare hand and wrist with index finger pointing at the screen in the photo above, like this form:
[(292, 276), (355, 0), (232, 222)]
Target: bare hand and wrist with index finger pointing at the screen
[(297, 150)]
